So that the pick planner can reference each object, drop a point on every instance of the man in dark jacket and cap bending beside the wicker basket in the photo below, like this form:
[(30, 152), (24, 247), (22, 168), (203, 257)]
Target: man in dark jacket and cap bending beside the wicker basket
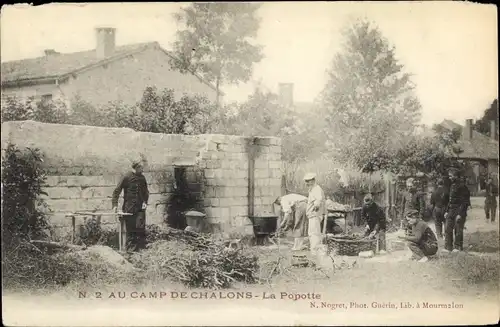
[(374, 216)]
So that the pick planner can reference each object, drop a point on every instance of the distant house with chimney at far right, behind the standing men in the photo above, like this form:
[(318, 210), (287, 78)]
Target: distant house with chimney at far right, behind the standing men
[(479, 150)]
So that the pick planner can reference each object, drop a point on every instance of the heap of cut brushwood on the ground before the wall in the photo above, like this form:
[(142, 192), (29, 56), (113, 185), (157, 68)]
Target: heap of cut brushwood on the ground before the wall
[(194, 260)]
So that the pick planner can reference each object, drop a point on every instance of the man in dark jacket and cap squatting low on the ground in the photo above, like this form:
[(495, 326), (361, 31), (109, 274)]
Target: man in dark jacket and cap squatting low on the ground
[(422, 241)]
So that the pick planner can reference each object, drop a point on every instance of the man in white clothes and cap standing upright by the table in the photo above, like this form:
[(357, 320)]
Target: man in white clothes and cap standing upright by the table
[(315, 211)]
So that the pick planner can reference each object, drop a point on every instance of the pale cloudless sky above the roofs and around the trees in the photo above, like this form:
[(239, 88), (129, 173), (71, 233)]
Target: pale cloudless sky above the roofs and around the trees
[(449, 47)]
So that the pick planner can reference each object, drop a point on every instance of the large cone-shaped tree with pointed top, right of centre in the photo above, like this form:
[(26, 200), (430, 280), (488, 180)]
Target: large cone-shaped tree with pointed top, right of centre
[(368, 100)]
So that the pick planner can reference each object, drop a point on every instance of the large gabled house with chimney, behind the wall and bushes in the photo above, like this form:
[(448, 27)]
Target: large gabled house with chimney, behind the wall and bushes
[(106, 73)]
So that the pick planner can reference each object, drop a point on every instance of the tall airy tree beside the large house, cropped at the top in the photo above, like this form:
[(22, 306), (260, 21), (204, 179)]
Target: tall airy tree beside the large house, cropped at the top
[(216, 41)]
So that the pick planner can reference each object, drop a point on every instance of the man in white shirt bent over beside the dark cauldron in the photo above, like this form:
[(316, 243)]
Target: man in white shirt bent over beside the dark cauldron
[(293, 208)]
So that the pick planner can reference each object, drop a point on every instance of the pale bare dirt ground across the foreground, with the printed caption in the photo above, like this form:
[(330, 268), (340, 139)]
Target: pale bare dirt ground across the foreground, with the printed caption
[(393, 289)]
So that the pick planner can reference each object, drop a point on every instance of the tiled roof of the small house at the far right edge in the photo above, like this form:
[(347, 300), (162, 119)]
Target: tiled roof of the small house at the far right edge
[(479, 147)]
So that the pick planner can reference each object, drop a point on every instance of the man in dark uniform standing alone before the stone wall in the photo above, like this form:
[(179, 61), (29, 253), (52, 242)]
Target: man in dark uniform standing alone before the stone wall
[(135, 200)]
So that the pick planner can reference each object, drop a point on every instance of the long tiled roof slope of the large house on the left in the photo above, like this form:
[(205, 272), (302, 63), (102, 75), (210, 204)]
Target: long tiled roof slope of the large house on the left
[(57, 65)]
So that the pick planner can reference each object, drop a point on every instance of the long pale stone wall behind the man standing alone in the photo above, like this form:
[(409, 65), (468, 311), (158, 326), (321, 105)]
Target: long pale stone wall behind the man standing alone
[(85, 164)]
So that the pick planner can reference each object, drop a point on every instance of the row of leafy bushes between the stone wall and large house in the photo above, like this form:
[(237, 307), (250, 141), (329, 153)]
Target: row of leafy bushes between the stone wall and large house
[(156, 112)]
